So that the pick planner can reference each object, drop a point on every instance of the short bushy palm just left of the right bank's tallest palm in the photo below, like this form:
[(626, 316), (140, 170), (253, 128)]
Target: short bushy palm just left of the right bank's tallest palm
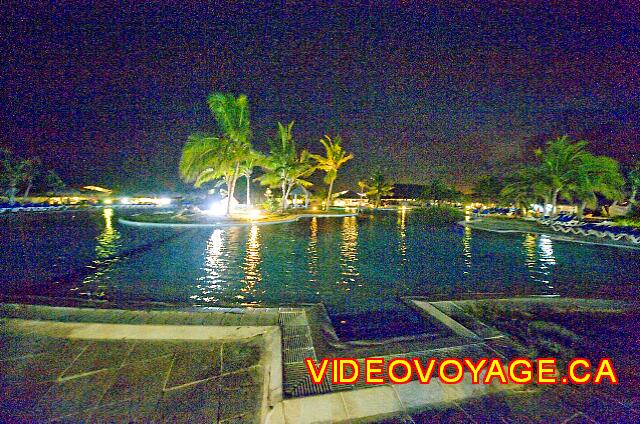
[(525, 186)]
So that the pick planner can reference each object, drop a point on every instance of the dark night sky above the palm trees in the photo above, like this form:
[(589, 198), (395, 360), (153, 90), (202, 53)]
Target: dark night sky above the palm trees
[(108, 92)]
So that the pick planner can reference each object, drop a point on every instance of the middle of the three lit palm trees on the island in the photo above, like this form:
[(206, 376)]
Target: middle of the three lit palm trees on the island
[(284, 167)]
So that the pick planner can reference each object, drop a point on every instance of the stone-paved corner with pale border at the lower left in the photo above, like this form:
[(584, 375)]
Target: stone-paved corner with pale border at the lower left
[(70, 371)]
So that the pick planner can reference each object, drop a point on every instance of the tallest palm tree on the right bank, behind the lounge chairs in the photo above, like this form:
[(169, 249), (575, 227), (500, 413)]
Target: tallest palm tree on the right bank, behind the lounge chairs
[(560, 165)]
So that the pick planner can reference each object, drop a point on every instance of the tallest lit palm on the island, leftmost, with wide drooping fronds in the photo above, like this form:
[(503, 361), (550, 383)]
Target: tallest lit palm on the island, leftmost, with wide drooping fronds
[(206, 157)]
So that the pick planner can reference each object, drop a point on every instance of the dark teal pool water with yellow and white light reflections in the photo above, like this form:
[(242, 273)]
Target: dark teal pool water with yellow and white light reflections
[(356, 266)]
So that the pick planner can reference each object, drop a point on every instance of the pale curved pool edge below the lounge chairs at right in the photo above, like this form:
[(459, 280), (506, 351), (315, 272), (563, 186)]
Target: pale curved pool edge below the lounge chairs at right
[(492, 225)]
